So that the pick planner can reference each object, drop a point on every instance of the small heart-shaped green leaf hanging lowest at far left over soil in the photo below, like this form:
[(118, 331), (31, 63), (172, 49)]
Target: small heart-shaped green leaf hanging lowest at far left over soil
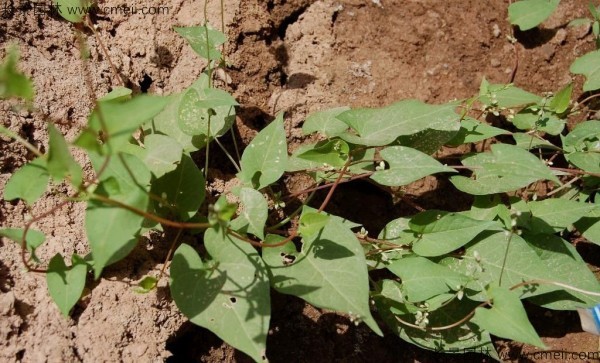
[(66, 284)]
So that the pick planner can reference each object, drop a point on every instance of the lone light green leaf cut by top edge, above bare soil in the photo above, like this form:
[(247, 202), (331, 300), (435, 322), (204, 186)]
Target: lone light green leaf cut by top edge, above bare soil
[(528, 14)]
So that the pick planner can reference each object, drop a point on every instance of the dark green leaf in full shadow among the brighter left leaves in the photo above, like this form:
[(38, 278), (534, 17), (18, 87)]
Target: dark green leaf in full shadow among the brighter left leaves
[(183, 189)]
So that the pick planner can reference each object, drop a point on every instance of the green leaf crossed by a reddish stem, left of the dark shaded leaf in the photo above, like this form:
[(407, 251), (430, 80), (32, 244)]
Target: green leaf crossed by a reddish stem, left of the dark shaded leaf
[(111, 230)]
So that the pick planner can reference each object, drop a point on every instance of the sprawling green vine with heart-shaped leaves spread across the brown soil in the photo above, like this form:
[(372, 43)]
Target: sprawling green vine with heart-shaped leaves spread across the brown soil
[(451, 279)]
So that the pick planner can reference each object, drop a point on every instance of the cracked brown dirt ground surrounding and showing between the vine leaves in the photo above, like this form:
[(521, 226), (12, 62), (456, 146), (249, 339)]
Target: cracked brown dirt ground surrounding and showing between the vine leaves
[(296, 56)]
